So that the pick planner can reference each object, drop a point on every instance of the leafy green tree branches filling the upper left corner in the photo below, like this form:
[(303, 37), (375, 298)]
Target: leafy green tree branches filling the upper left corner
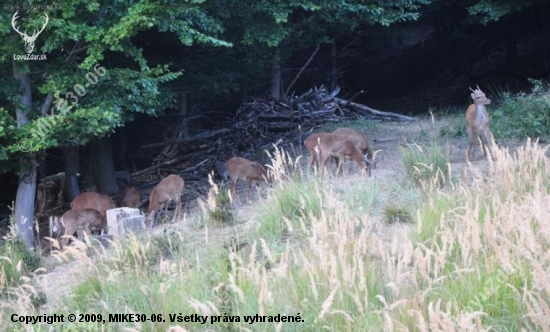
[(79, 37)]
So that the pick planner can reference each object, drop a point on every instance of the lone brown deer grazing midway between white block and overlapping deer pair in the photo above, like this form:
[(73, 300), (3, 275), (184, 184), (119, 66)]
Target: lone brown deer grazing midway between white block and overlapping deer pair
[(244, 169)]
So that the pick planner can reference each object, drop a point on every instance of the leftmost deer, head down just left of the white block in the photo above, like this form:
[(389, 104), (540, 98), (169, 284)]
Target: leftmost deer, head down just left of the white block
[(86, 220)]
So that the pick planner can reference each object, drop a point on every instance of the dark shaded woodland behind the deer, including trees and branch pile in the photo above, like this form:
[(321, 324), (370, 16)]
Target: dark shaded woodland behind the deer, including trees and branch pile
[(185, 91)]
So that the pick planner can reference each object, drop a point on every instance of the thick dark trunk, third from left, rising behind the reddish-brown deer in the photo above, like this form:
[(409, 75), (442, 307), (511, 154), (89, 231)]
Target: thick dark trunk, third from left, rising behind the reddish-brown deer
[(104, 170)]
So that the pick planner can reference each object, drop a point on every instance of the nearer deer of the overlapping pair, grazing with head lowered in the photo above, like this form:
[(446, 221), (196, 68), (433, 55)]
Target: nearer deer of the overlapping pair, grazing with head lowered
[(341, 147)]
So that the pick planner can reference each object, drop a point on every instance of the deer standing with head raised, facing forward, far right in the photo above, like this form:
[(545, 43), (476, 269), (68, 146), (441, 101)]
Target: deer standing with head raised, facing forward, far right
[(477, 123)]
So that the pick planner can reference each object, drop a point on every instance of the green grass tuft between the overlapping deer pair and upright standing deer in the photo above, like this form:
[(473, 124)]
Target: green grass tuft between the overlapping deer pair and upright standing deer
[(425, 165)]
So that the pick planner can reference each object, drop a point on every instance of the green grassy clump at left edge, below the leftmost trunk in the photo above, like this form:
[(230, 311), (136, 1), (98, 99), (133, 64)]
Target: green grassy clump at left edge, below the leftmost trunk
[(15, 262)]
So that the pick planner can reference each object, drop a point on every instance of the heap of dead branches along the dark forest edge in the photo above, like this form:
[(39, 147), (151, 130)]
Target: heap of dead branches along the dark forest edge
[(260, 124)]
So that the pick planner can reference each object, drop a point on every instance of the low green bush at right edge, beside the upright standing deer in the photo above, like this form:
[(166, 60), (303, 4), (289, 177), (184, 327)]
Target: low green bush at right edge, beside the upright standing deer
[(523, 115)]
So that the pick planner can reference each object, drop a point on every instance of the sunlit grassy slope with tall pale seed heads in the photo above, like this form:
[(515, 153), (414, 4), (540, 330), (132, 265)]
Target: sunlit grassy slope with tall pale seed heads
[(335, 252)]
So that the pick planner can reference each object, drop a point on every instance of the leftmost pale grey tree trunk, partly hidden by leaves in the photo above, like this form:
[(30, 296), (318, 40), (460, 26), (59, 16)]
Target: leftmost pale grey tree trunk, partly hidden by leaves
[(26, 190)]
